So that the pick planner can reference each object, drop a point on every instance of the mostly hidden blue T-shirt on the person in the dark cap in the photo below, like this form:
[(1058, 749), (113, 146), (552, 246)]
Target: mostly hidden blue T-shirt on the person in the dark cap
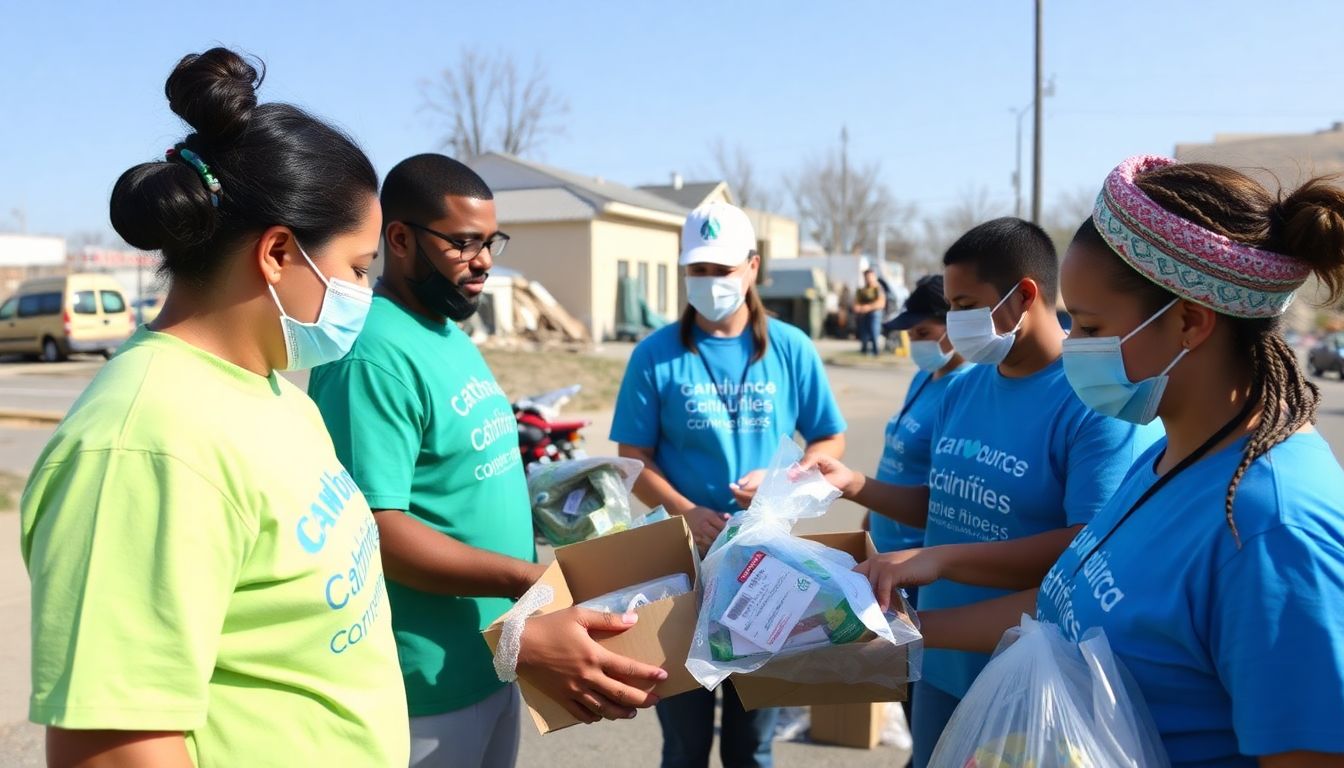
[(907, 454)]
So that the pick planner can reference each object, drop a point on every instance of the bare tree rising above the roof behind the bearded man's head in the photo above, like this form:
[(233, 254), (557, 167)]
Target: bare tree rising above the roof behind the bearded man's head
[(491, 107)]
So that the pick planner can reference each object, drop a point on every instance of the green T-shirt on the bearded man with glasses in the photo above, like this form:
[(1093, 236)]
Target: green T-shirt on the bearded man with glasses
[(420, 420)]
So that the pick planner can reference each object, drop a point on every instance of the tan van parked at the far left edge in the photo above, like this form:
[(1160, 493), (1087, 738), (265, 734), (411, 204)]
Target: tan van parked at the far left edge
[(52, 318)]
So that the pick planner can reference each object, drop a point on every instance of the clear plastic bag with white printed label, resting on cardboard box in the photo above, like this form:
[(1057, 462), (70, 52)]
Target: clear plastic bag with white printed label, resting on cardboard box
[(790, 607)]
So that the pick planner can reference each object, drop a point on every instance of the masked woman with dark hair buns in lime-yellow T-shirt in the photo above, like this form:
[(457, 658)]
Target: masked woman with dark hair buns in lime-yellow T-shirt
[(208, 587)]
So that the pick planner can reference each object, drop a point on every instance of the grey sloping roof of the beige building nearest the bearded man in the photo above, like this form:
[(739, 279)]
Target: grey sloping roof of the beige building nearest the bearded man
[(557, 194)]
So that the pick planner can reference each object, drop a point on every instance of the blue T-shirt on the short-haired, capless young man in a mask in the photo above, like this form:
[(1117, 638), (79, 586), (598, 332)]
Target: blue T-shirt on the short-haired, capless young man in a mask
[(1015, 458)]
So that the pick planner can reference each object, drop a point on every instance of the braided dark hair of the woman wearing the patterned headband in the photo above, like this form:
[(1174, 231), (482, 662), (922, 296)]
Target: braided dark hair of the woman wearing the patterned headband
[(1307, 225)]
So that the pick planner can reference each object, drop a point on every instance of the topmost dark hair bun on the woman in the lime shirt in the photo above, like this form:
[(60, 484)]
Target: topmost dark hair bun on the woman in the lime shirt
[(214, 92)]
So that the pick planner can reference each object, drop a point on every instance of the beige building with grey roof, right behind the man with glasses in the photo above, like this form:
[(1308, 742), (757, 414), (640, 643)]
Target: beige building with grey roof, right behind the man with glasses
[(579, 236)]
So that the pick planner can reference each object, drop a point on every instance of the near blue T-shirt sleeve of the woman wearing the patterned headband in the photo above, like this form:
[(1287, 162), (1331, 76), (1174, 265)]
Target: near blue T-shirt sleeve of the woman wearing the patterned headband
[(1277, 640)]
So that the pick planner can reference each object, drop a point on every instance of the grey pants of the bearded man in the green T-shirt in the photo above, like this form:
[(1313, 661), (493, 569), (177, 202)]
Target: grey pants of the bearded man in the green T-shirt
[(485, 735)]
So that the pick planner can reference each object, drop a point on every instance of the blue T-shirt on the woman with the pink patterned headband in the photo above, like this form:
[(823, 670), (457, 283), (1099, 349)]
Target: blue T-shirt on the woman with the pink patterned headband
[(1238, 652)]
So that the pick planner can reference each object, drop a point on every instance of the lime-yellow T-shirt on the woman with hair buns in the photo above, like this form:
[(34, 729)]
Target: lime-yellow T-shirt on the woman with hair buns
[(201, 562)]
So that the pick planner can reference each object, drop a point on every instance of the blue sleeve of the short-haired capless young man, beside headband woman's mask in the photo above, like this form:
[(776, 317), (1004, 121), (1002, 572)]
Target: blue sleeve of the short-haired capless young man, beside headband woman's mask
[(1097, 461)]
